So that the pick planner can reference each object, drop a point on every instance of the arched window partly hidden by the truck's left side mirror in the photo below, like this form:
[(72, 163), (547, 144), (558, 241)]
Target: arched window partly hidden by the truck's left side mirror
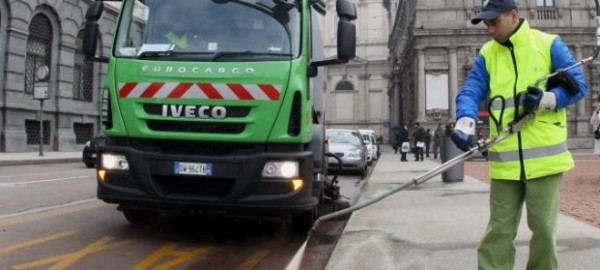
[(83, 73)]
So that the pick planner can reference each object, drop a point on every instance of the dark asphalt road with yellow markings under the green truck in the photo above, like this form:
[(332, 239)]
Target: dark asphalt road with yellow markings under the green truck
[(50, 219)]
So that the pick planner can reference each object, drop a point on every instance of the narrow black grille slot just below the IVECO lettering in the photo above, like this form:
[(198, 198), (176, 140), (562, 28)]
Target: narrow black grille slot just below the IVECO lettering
[(195, 127)]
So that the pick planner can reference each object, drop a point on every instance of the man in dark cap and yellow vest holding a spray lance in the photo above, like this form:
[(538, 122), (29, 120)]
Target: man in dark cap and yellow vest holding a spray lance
[(528, 166)]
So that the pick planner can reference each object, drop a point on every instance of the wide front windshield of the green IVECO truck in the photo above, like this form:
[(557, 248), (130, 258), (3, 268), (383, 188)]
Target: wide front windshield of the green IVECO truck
[(208, 30)]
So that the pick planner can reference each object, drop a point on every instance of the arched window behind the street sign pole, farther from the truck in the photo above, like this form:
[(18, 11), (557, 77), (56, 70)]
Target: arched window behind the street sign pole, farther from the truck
[(39, 49)]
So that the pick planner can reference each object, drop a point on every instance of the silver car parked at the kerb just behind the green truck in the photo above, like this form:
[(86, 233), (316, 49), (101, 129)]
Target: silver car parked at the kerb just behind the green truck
[(349, 146)]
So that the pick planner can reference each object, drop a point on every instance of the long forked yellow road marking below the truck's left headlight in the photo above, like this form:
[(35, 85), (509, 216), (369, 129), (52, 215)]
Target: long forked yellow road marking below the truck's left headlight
[(66, 260)]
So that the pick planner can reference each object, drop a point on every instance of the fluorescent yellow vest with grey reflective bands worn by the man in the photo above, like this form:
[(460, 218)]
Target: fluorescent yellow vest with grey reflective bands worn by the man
[(540, 148)]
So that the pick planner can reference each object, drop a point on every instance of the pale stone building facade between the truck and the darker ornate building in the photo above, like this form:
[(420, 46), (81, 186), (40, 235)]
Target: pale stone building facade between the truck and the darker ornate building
[(356, 93)]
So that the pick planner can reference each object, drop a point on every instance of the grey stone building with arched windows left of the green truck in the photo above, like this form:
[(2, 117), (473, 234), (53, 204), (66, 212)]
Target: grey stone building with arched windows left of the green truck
[(40, 50)]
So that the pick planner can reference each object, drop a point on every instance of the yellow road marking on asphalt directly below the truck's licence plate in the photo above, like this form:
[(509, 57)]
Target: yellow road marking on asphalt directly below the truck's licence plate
[(181, 256)]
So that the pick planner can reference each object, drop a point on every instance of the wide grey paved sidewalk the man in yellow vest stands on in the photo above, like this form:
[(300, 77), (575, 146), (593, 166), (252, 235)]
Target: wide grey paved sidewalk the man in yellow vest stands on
[(439, 225)]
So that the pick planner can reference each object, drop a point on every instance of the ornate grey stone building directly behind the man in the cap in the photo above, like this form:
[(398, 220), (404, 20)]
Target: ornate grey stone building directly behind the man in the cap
[(433, 45)]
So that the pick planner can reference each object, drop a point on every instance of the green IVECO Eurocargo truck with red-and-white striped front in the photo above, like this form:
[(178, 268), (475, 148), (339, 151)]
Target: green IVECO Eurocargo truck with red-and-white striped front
[(215, 106)]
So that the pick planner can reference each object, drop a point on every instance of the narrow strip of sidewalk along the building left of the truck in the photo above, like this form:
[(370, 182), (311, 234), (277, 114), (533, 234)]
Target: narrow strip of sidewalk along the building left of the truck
[(30, 158)]
